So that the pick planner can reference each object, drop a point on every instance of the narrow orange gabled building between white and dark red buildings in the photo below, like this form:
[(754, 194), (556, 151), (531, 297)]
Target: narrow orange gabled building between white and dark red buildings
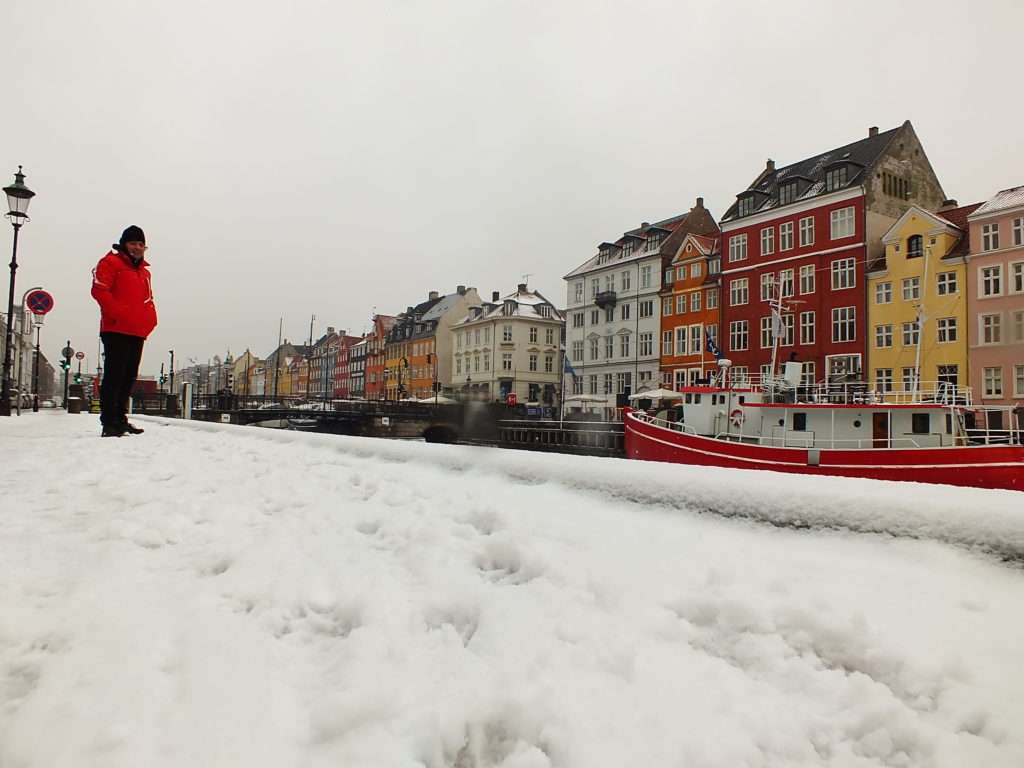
[(691, 312)]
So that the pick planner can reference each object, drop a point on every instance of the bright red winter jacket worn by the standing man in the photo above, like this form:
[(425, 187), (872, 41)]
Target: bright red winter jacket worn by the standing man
[(125, 296)]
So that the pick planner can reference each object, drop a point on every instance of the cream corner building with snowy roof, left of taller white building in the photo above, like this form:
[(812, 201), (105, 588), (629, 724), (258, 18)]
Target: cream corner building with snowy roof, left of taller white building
[(510, 346)]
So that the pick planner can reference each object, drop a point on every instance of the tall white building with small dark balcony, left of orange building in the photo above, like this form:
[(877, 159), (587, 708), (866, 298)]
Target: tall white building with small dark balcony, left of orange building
[(613, 316)]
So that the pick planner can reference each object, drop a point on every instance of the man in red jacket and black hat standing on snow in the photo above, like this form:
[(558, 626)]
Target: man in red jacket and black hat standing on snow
[(127, 316)]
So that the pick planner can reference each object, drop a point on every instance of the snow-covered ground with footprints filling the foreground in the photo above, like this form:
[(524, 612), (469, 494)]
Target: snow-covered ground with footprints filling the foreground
[(206, 595)]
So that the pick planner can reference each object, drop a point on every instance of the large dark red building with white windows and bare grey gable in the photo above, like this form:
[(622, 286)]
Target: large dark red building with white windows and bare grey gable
[(796, 248)]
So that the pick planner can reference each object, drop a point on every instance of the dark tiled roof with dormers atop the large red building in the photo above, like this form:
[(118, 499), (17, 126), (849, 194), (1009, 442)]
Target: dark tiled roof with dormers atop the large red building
[(861, 156)]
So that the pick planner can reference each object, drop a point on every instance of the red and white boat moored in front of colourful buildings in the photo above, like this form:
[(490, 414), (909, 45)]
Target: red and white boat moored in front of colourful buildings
[(934, 435)]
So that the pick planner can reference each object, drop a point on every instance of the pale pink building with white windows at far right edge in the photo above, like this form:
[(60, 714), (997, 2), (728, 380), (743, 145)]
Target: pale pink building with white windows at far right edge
[(996, 290)]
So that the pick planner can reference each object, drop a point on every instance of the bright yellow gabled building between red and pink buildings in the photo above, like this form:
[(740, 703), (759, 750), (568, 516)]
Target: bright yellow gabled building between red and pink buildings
[(922, 283)]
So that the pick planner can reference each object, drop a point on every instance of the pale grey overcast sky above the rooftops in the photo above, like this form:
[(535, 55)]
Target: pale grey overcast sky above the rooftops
[(340, 158)]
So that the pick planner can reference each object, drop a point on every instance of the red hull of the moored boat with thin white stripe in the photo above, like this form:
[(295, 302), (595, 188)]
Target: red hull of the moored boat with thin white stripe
[(975, 466)]
